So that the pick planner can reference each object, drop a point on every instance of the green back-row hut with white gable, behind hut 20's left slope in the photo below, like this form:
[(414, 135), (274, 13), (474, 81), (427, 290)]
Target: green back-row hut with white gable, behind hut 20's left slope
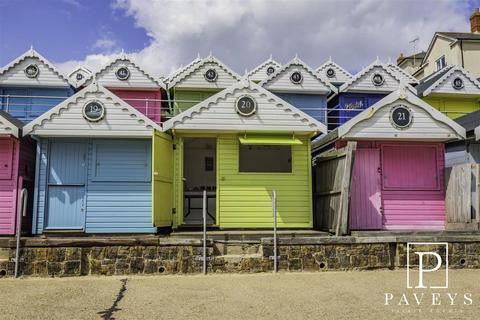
[(197, 81)]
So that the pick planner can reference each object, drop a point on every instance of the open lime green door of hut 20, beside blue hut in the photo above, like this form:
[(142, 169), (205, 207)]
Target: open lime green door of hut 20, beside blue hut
[(162, 188)]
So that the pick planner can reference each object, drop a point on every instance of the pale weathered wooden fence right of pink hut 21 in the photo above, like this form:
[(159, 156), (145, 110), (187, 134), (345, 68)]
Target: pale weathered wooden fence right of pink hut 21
[(462, 201)]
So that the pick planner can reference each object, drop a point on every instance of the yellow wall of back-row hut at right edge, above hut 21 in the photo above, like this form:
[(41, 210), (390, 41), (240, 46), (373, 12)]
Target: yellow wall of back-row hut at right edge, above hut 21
[(456, 107)]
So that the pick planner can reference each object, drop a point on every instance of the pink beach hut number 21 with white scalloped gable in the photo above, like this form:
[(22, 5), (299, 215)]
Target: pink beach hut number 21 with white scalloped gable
[(398, 170)]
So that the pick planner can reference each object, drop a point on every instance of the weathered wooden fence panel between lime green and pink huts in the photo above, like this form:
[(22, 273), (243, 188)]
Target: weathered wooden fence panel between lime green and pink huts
[(332, 174)]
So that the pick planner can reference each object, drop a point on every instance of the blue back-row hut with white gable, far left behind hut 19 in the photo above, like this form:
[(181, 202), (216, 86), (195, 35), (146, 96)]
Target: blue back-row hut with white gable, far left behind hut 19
[(31, 85)]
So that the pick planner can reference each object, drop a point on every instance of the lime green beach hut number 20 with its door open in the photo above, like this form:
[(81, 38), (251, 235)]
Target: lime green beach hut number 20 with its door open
[(239, 146)]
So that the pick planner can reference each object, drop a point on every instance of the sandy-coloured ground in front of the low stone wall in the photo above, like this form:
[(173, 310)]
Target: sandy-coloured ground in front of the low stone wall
[(329, 295)]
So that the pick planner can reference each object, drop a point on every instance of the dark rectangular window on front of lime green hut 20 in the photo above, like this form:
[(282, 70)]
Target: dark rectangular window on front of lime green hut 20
[(265, 158)]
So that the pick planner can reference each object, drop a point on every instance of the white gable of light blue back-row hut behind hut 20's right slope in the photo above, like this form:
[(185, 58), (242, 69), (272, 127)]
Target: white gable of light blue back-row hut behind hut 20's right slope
[(321, 83)]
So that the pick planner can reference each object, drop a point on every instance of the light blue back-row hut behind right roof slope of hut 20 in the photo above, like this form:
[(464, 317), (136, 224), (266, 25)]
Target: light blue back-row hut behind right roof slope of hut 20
[(300, 86)]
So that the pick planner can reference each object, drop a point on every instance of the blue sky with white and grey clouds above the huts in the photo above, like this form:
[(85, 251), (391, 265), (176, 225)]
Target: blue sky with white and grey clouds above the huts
[(162, 35)]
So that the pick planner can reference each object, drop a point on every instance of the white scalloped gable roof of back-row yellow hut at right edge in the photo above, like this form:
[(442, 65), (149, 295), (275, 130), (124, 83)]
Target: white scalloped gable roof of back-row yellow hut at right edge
[(436, 79)]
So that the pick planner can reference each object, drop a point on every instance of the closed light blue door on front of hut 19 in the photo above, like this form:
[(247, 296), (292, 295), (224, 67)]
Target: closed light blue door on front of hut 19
[(66, 185)]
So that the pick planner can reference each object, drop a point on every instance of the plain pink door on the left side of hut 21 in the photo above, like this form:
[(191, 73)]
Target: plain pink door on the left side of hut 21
[(365, 205)]
